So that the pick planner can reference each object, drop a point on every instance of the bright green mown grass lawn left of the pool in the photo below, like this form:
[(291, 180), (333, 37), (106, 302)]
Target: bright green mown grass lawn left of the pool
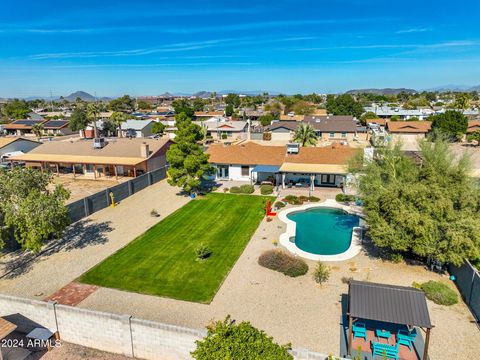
[(162, 261)]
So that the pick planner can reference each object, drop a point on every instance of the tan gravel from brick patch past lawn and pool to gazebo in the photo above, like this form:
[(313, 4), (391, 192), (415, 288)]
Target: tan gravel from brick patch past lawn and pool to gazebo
[(297, 310)]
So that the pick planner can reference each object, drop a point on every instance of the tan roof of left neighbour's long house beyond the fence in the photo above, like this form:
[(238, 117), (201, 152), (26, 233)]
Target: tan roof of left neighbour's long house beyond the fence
[(117, 151)]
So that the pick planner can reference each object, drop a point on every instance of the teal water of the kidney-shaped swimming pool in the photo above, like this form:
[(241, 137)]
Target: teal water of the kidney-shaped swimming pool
[(323, 231)]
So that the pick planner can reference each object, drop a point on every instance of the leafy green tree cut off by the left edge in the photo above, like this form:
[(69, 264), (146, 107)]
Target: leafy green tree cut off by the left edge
[(30, 210)]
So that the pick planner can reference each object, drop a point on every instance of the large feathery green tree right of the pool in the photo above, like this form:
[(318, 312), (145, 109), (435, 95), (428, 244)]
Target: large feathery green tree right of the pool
[(430, 208)]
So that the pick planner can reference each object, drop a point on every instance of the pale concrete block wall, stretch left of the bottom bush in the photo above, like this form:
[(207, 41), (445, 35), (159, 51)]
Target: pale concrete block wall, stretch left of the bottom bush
[(114, 333)]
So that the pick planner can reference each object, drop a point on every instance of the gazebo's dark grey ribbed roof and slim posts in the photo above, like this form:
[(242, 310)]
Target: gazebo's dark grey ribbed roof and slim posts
[(394, 305)]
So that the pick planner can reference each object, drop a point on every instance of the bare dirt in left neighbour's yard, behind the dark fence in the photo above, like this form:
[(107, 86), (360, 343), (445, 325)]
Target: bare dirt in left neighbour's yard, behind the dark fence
[(80, 188)]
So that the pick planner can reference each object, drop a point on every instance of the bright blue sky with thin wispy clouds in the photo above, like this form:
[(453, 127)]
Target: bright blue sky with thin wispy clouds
[(149, 47)]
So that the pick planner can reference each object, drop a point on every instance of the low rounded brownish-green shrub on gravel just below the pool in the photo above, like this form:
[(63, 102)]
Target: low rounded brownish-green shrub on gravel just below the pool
[(282, 262)]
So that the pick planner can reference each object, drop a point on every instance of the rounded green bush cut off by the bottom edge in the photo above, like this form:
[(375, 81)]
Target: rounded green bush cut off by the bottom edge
[(229, 340)]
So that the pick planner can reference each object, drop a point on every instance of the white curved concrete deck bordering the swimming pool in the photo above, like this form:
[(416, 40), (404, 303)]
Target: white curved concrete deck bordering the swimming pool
[(355, 243)]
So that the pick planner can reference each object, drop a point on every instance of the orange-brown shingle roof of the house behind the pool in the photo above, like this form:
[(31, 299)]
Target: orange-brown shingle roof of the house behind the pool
[(250, 153)]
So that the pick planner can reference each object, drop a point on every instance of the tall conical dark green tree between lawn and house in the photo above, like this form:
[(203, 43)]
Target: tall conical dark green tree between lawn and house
[(187, 160)]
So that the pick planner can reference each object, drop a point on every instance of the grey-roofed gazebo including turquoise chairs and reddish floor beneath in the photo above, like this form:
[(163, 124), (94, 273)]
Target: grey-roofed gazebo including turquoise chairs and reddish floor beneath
[(385, 320)]
